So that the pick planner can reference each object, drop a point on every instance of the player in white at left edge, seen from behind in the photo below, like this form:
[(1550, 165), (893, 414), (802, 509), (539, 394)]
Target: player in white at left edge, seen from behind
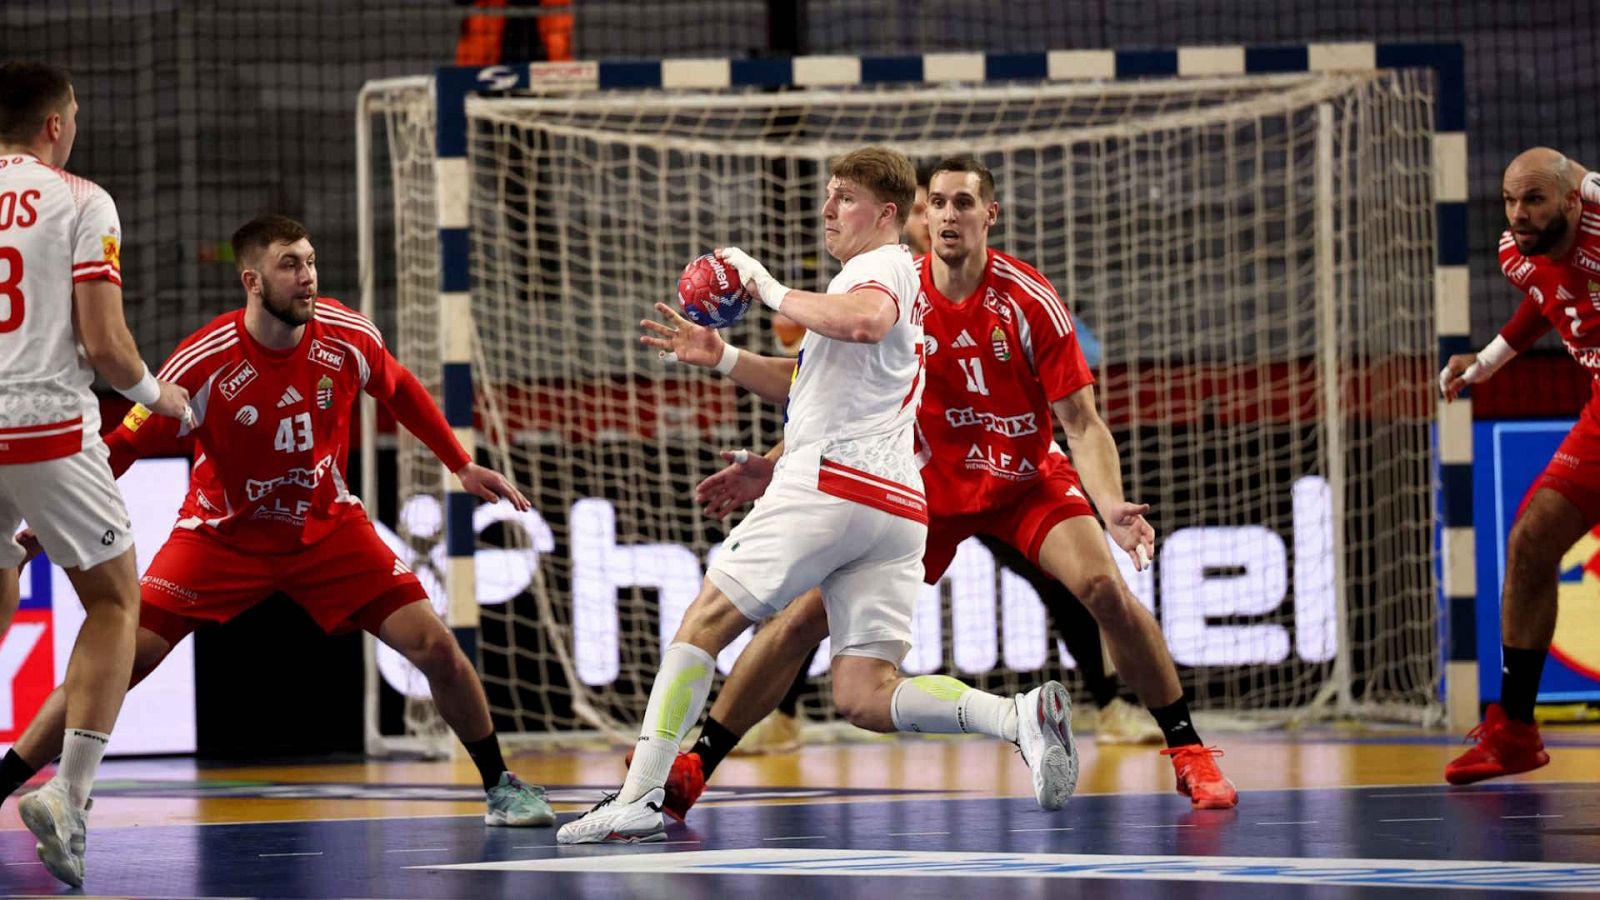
[(62, 287)]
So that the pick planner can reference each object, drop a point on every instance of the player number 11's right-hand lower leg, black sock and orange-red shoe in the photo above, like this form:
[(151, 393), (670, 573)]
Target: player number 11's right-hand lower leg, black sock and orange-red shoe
[(1076, 553)]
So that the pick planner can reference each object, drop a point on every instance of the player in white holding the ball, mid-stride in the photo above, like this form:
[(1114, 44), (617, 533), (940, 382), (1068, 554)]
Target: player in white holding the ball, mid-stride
[(846, 510)]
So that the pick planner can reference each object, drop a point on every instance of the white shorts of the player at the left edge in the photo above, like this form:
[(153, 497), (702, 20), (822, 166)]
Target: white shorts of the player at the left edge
[(73, 505)]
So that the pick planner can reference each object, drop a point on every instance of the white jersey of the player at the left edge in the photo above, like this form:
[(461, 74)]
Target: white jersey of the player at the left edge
[(57, 231)]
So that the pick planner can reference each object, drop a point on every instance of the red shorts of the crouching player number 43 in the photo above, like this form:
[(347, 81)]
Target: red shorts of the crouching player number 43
[(348, 581)]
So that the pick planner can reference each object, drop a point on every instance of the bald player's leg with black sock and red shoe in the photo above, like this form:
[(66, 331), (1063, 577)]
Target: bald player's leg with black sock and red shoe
[(1508, 742)]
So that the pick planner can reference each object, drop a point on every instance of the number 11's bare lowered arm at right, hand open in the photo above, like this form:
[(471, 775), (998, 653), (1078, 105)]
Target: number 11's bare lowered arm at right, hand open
[(1097, 459)]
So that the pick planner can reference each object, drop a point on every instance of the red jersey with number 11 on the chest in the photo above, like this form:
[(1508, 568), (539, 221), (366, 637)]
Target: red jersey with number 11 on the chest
[(994, 364)]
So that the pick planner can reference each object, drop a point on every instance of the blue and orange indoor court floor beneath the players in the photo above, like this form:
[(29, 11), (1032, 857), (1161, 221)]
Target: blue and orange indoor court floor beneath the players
[(1322, 814)]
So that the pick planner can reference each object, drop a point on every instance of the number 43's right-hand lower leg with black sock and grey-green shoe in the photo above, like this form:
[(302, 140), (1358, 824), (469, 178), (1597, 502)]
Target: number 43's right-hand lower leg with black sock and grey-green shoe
[(418, 635)]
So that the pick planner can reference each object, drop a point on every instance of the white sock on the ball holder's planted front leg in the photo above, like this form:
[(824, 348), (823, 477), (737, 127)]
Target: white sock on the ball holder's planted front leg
[(676, 702)]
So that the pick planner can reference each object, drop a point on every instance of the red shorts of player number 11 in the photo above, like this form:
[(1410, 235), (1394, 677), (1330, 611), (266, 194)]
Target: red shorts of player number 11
[(1044, 504)]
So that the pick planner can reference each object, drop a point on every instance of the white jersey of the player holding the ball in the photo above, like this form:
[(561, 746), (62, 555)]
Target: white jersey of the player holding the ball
[(854, 408)]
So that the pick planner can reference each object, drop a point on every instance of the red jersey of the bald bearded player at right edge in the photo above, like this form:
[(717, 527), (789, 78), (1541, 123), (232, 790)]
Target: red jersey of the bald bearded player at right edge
[(1562, 294)]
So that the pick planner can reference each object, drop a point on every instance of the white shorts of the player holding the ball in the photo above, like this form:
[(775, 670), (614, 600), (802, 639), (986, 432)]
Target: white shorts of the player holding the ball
[(866, 561)]
